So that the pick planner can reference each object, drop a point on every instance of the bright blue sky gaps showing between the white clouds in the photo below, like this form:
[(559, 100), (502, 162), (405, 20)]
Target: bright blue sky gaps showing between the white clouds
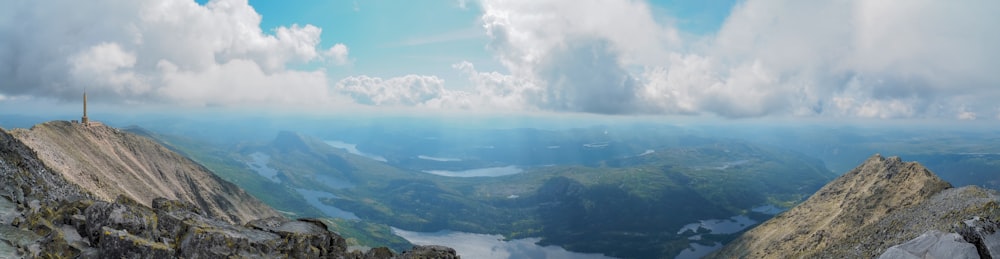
[(394, 38)]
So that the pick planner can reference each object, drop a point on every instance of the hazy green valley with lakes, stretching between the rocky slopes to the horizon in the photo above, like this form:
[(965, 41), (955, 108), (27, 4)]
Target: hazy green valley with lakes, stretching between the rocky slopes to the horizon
[(628, 191)]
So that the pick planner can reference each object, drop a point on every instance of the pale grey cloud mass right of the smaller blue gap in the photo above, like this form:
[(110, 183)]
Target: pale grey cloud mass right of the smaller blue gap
[(880, 59)]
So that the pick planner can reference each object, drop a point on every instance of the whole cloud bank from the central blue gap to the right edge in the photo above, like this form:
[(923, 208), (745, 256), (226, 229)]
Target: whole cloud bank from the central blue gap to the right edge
[(881, 59)]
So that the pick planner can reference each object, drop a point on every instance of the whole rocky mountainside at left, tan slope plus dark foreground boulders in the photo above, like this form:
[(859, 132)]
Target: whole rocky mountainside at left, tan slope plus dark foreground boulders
[(52, 213)]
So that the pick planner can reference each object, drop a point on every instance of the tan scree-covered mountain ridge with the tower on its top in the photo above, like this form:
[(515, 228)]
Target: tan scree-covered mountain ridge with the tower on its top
[(109, 162)]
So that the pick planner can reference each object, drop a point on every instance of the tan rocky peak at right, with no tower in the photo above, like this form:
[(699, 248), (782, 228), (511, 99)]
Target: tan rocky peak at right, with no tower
[(881, 203)]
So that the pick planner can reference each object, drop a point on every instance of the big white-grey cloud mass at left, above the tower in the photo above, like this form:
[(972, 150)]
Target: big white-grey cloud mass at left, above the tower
[(173, 51)]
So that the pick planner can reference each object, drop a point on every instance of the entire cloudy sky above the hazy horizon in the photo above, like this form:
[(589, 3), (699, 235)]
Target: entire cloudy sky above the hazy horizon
[(892, 59)]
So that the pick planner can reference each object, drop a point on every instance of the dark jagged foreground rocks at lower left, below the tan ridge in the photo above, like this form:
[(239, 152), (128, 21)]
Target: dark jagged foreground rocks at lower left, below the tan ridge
[(44, 214)]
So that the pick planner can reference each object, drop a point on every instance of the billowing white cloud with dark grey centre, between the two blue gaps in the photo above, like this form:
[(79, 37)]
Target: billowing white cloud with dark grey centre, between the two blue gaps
[(575, 51)]
